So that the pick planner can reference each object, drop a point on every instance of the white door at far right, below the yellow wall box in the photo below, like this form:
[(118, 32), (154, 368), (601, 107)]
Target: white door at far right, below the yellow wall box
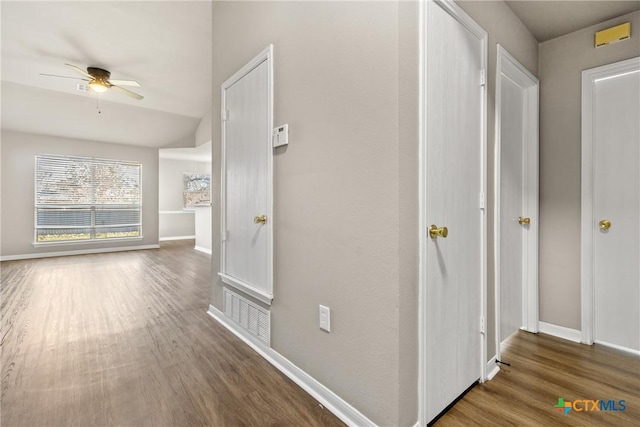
[(613, 111)]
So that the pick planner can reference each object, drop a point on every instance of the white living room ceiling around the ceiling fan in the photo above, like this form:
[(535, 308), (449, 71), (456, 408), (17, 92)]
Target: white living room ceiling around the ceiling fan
[(164, 45)]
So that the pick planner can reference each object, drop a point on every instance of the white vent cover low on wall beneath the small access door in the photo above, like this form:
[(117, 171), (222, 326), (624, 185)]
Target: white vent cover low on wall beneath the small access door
[(251, 317)]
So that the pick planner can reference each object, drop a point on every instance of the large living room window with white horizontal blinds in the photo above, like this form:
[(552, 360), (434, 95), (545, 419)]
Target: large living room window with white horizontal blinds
[(85, 199)]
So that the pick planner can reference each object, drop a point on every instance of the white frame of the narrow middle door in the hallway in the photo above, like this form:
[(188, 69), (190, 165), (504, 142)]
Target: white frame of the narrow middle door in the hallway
[(516, 72)]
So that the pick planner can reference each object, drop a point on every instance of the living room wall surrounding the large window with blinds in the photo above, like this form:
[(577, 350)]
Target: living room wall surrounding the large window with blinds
[(18, 153)]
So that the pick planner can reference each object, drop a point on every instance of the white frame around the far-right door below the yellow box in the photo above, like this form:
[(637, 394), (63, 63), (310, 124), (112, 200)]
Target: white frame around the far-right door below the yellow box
[(587, 288)]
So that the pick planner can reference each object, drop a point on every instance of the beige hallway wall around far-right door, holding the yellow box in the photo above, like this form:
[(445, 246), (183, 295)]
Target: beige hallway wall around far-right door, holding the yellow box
[(562, 61)]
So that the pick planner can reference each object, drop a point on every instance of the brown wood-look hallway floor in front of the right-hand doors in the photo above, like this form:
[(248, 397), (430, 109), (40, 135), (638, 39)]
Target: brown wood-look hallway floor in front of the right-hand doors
[(543, 369)]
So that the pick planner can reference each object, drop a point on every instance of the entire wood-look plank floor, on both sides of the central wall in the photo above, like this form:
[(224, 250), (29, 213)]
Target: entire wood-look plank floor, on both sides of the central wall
[(124, 339)]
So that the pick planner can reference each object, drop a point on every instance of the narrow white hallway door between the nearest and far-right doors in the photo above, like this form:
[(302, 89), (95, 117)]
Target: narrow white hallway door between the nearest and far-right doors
[(516, 198)]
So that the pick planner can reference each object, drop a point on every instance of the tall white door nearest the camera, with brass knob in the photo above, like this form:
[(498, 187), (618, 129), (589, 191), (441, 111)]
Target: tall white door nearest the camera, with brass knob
[(454, 179)]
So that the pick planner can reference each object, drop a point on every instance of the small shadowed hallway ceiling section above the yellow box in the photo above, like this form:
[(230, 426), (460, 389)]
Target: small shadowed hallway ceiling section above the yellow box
[(549, 19)]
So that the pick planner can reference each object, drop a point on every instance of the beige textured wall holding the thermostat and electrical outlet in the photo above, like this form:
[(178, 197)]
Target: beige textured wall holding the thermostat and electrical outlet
[(337, 192)]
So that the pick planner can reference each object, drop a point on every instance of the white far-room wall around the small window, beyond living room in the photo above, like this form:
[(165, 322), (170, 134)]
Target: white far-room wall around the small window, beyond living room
[(174, 220)]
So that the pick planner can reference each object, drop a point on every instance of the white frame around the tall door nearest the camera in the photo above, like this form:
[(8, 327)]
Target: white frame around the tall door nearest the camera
[(423, 353)]
